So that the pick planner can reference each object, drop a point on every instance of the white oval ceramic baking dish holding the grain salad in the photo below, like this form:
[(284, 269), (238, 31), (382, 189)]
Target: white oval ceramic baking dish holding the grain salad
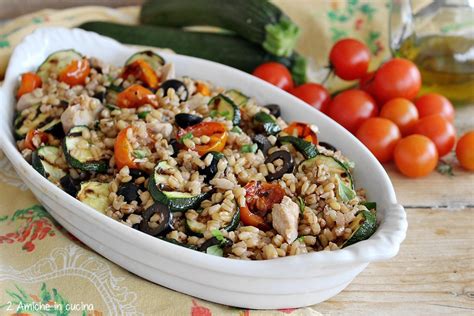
[(287, 282)]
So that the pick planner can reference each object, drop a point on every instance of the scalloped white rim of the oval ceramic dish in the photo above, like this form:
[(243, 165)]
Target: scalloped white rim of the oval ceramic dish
[(382, 245)]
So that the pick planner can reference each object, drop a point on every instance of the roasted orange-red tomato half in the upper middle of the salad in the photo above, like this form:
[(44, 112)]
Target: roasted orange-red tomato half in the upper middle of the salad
[(215, 130)]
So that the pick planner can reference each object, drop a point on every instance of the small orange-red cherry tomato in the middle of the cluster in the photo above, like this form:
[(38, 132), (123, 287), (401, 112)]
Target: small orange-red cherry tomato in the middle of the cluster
[(402, 112)]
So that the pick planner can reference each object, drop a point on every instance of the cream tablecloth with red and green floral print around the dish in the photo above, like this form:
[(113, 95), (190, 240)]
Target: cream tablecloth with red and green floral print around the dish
[(45, 270)]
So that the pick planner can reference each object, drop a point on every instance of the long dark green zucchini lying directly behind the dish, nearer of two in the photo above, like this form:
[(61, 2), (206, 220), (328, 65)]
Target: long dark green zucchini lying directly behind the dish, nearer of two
[(222, 48)]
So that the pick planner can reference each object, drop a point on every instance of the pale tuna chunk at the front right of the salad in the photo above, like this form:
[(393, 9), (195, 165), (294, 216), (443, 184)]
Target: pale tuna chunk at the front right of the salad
[(285, 219)]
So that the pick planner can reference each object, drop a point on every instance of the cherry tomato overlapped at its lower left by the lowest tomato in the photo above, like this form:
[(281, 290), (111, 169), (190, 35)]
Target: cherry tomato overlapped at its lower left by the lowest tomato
[(439, 130)]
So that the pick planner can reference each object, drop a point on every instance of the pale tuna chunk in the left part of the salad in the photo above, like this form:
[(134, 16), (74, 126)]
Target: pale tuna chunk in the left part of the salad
[(83, 111)]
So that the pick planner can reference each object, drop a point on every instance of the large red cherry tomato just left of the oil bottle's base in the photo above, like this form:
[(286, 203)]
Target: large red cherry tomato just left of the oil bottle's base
[(397, 78)]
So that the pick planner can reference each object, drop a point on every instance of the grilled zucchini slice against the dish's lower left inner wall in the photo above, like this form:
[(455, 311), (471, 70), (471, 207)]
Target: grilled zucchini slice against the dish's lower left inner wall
[(43, 160)]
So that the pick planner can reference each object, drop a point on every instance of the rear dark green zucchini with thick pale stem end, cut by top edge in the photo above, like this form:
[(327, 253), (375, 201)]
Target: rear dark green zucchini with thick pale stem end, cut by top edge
[(258, 21)]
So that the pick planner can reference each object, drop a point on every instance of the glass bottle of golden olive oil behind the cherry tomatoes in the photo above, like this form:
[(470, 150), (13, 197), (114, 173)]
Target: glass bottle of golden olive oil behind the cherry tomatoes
[(446, 63)]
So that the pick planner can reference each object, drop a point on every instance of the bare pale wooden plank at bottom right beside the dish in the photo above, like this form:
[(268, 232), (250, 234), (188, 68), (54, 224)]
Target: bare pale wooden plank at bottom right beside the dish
[(433, 273)]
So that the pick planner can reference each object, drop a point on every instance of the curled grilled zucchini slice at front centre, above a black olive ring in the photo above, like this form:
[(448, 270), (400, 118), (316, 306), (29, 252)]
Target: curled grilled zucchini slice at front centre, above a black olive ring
[(176, 201)]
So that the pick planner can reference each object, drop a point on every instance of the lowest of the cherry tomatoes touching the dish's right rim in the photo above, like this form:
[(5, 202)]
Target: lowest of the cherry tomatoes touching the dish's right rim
[(380, 136)]
